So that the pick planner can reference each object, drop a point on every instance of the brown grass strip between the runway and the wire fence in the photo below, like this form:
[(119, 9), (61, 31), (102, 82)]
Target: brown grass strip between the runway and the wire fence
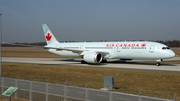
[(154, 84)]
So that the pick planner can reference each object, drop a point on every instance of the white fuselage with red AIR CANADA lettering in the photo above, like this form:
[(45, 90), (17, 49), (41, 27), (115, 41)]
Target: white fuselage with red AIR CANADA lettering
[(119, 50)]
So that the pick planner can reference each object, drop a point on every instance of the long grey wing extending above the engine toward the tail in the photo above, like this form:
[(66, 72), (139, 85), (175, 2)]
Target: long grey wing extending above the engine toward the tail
[(80, 52)]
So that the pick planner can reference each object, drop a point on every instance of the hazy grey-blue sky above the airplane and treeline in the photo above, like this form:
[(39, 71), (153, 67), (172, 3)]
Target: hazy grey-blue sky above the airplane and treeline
[(82, 20)]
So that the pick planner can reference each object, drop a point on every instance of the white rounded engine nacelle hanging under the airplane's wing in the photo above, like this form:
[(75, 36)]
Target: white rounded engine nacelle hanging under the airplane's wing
[(92, 57)]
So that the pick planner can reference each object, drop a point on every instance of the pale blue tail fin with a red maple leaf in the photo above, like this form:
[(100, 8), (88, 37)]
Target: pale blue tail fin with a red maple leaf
[(50, 38)]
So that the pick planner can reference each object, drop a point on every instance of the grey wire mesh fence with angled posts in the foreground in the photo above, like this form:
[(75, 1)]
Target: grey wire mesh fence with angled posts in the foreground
[(38, 91)]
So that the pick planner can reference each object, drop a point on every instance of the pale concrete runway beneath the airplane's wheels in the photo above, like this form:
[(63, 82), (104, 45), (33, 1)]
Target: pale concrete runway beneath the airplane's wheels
[(135, 65)]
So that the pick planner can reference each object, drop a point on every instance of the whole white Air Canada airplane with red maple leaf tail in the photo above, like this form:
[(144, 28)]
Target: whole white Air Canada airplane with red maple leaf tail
[(99, 52)]
